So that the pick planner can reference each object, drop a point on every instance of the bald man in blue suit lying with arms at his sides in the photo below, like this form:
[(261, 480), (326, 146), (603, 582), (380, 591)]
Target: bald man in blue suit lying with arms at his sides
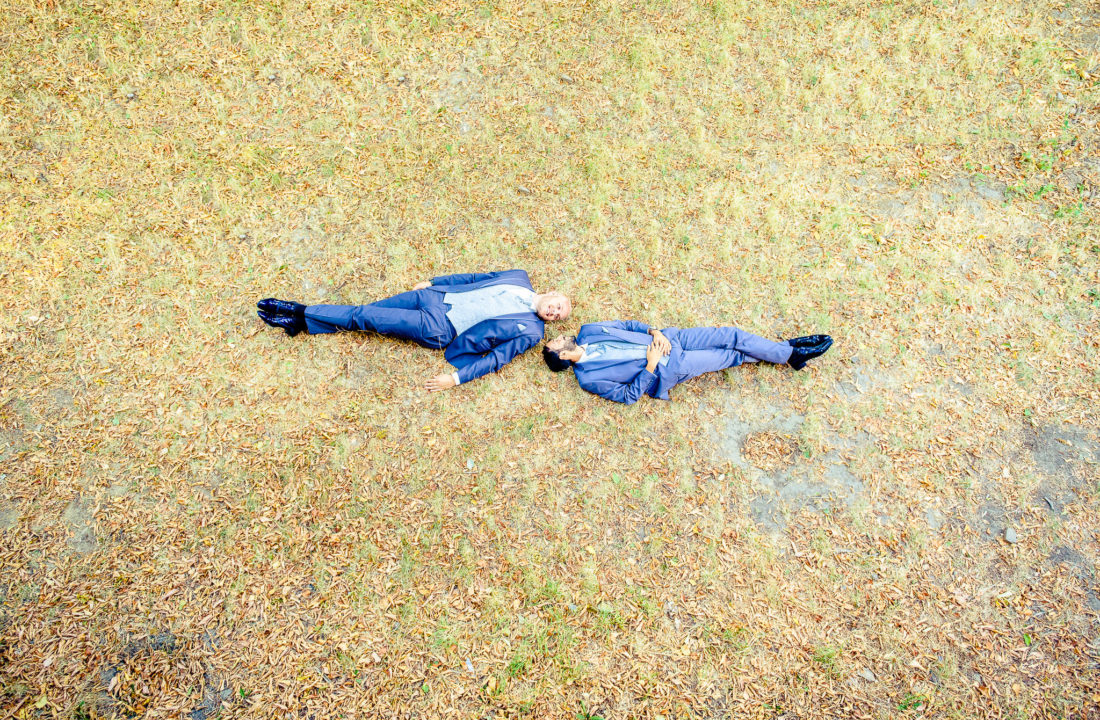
[(481, 320)]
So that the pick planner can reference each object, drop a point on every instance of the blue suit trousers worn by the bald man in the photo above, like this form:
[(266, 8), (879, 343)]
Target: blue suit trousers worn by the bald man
[(420, 316)]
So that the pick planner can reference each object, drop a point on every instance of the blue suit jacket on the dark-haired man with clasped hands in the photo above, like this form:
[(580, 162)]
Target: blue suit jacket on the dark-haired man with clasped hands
[(624, 381)]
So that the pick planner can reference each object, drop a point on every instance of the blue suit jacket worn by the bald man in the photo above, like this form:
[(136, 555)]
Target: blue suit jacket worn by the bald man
[(493, 344)]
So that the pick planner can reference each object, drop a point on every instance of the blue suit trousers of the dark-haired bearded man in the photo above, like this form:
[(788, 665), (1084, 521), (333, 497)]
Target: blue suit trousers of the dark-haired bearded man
[(709, 350)]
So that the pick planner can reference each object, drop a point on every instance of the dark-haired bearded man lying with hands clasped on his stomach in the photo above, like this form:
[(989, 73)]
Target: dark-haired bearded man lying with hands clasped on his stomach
[(623, 361)]
